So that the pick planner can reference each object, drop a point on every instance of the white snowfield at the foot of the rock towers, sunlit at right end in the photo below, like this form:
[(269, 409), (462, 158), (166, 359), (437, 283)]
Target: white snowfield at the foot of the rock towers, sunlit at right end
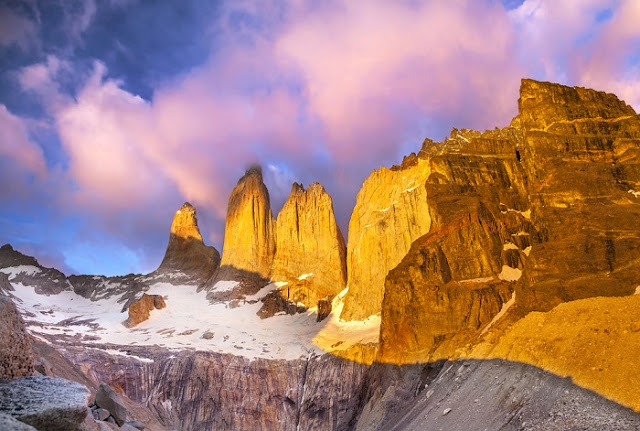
[(230, 327)]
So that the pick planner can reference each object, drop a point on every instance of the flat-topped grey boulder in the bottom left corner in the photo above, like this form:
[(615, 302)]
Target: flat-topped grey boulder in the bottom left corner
[(45, 403)]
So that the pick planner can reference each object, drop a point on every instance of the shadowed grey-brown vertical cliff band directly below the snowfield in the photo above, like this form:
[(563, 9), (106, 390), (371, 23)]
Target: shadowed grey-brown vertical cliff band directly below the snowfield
[(206, 391)]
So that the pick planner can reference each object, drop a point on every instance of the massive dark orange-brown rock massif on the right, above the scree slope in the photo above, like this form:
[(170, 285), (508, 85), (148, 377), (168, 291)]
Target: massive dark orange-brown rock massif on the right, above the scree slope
[(551, 198)]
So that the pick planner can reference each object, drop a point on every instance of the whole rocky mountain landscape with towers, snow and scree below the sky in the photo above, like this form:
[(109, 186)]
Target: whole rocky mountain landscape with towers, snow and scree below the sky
[(489, 282)]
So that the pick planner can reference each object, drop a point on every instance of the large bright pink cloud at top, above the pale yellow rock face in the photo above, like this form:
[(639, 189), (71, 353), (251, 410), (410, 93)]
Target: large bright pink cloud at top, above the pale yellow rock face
[(371, 69)]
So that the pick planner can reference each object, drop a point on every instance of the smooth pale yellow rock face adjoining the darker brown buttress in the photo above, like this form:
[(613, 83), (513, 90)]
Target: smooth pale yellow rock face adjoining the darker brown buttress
[(390, 213)]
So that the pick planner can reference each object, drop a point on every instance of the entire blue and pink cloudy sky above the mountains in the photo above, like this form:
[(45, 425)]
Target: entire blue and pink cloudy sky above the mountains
[(115, 112)]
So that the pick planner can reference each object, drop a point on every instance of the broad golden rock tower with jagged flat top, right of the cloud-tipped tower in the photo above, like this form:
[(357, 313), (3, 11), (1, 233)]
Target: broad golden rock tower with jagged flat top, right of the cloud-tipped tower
[(310, 250)]
